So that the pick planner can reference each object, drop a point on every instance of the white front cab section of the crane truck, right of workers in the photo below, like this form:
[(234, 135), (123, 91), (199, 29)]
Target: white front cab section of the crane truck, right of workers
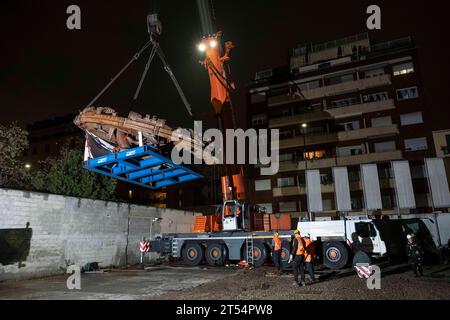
[(337, 241)]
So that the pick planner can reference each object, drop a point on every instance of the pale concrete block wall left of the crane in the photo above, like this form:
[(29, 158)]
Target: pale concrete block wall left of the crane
[(41, 234)]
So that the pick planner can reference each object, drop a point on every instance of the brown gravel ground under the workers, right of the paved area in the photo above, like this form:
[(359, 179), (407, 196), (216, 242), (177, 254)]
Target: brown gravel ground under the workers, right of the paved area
[(261, 284)]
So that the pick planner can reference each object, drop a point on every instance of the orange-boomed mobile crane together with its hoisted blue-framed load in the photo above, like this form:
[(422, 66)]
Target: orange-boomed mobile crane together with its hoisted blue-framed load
[(230, 234)]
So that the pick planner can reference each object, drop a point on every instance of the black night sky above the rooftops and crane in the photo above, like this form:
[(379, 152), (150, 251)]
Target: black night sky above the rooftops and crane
[(47, 70)]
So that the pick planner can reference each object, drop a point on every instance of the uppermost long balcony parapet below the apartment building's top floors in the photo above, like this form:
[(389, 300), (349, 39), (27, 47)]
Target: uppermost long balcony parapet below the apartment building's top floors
[(332, 90)]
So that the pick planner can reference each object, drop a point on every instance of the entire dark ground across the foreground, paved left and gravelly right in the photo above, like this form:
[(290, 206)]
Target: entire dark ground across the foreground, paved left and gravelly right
[(220, 283)]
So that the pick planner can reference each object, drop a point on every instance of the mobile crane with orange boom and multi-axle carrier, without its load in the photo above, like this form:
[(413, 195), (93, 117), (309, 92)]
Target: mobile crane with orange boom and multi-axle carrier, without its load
[(231, 234)]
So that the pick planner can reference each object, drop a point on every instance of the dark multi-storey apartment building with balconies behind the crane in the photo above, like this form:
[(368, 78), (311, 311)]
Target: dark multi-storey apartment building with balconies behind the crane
[(342, 103)]
